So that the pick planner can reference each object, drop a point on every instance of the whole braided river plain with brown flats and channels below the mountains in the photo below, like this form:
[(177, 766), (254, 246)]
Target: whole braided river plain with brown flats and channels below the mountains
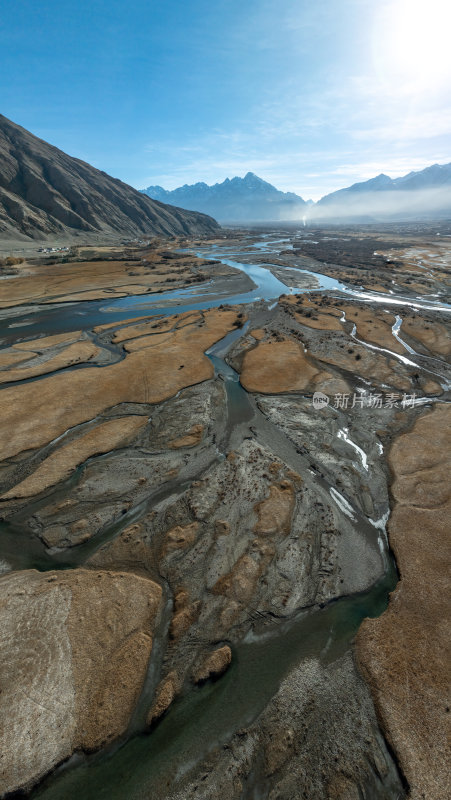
[(211, 586)]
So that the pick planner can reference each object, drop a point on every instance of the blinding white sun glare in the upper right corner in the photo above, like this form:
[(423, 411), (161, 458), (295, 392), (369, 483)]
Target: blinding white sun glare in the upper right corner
[(411, 44)]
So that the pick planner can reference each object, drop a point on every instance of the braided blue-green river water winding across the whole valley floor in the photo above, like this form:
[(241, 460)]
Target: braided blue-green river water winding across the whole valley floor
[(206, 716)]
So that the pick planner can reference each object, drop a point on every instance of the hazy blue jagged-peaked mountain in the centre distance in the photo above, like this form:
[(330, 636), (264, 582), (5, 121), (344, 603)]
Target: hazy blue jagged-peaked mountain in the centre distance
[(237, 200)]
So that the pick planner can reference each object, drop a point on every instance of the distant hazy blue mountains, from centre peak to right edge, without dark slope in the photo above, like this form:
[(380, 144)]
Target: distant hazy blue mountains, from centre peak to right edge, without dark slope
[(251, 199)]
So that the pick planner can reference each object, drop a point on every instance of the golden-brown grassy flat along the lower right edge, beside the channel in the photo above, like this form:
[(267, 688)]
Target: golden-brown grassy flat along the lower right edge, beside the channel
[(405, 653)]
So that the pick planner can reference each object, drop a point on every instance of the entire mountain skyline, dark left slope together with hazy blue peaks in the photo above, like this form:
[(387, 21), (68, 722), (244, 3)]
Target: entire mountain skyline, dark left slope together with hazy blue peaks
[(47, 193)]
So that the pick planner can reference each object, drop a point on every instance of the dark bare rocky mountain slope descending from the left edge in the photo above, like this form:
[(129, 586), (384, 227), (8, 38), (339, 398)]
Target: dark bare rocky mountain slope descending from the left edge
[(45, 192)]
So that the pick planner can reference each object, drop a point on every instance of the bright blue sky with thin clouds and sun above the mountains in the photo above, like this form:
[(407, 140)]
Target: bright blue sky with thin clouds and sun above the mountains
[(311, 96)]
